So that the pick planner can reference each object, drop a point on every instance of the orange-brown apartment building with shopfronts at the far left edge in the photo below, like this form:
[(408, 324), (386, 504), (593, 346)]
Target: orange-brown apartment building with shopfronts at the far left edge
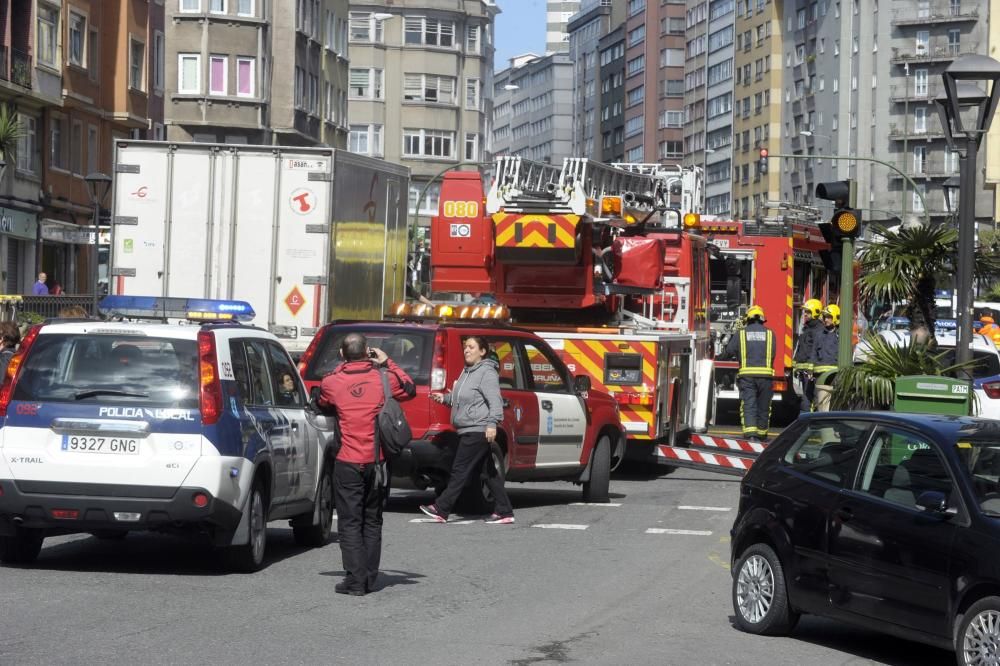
[(77, 74)]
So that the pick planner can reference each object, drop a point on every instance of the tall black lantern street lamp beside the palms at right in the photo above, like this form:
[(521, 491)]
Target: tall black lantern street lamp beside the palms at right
[(964, 95)]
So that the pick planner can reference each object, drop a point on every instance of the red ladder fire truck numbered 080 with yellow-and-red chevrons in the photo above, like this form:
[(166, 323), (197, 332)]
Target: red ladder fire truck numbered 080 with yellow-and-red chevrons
[(595, 259)]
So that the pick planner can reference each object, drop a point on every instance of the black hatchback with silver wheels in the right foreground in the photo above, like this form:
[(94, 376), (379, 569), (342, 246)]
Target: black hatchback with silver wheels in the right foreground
[(887, 520)]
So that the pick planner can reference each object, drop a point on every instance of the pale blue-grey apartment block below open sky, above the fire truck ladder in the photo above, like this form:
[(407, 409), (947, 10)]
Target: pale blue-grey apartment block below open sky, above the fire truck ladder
[(533, 108)]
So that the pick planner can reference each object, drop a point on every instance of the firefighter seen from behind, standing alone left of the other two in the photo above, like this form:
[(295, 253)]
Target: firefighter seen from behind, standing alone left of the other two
[(754, 347)]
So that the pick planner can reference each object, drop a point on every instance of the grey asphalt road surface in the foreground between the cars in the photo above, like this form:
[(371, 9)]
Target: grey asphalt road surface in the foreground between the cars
[(644, 580)]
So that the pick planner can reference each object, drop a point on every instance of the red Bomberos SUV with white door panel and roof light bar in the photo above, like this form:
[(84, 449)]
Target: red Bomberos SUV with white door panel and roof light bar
[(555, 427)]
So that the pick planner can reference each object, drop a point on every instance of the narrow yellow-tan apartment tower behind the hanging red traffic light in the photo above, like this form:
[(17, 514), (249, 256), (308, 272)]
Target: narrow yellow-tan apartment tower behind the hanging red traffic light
[(757, 107)]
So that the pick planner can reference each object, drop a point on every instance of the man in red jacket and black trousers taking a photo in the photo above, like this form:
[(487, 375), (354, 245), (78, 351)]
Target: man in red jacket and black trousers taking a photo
[(354, 391)]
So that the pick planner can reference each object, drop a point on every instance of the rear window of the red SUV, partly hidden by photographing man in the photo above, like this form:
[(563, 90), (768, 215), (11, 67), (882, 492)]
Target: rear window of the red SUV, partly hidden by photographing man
[(410, 348)]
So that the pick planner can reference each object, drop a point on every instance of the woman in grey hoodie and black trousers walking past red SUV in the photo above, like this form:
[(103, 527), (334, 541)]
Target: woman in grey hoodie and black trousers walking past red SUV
[(476, 411)]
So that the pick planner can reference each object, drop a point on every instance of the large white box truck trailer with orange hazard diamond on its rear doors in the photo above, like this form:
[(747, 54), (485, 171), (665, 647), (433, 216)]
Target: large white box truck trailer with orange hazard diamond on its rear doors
[(305, 235)]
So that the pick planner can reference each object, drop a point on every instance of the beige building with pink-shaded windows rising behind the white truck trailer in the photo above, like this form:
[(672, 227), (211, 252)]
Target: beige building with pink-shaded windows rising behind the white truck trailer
[(250, 71)]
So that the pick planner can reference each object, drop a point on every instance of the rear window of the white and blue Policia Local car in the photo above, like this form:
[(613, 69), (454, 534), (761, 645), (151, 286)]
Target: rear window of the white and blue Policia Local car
[(111, 369)]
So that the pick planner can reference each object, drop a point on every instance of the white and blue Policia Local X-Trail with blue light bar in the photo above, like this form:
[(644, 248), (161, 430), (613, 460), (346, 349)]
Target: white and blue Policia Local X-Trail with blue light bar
[(197, 426)]
